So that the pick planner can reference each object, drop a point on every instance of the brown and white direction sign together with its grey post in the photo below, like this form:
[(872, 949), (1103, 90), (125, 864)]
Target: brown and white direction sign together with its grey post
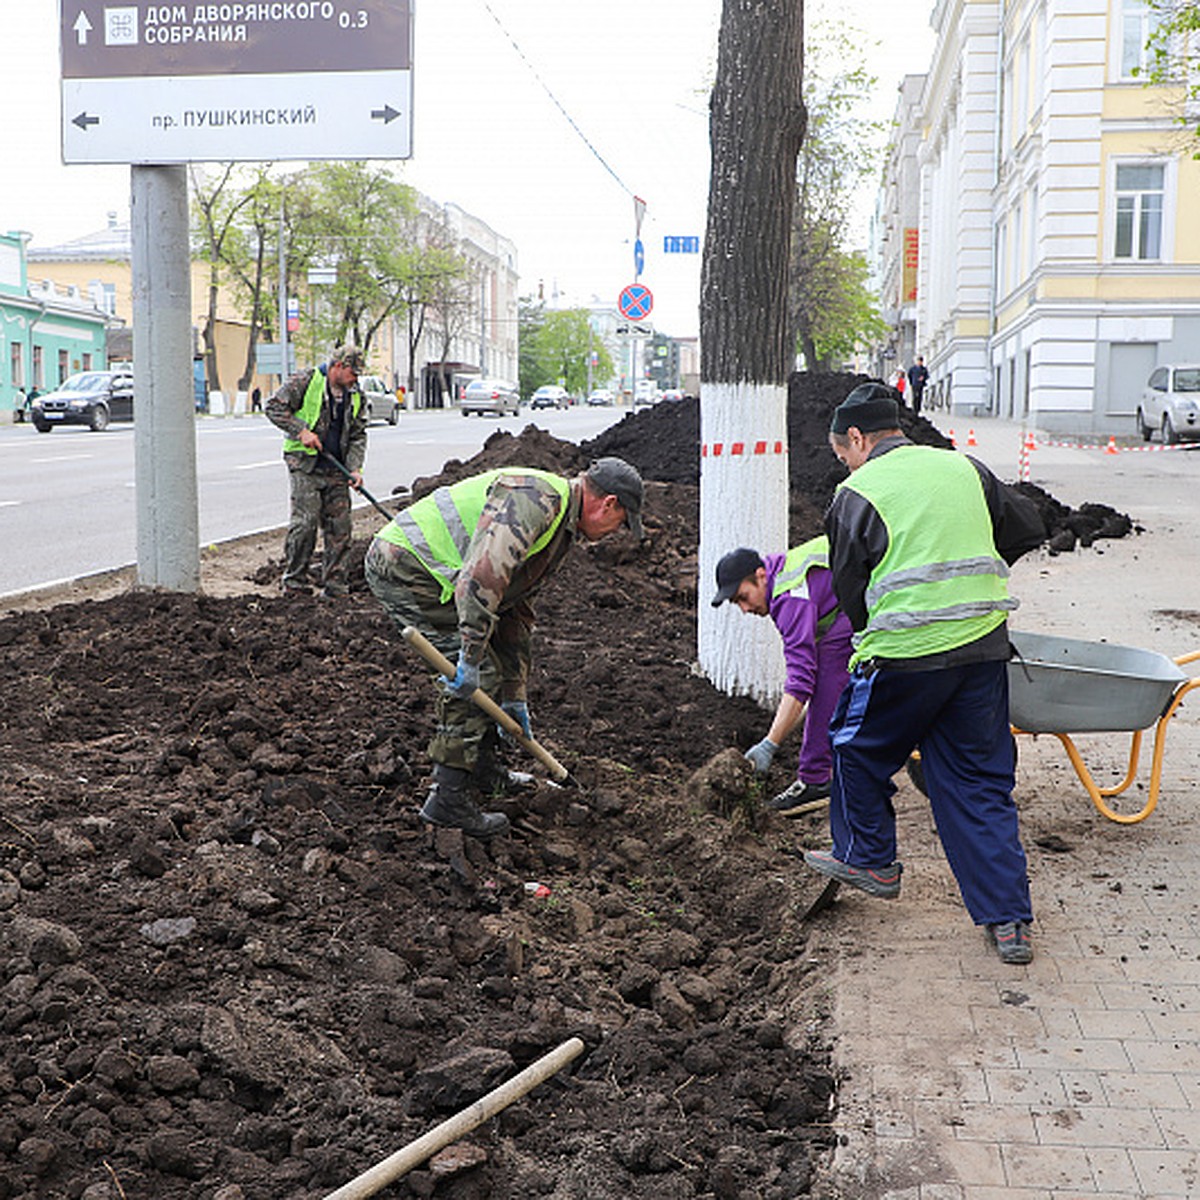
[(163, 85)]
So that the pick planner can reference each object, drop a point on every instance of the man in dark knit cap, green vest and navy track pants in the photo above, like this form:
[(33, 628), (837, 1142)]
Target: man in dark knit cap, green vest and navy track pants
[(920, 545)]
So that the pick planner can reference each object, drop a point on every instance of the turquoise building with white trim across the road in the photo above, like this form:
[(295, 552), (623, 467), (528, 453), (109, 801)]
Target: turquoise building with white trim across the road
[(47, 333)]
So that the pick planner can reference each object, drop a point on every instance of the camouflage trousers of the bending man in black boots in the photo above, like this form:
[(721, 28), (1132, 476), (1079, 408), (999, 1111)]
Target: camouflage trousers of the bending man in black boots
[(465, 735)]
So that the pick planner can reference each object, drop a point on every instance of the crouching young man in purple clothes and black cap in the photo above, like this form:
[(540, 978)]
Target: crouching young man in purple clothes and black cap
[(796, 592)]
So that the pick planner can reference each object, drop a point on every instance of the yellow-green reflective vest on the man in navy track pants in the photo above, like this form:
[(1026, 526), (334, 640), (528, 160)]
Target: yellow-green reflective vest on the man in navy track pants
[(940, 584)]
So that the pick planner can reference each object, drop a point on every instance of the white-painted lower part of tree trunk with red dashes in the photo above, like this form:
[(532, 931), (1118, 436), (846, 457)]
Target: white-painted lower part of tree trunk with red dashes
[(743, 502)]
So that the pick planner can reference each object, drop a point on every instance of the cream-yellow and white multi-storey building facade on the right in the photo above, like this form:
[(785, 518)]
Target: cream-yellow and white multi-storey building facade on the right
[(1059, 242)]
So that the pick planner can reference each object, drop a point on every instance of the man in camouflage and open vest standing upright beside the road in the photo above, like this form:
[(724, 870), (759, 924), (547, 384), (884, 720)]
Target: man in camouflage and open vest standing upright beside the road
[(323, 415)]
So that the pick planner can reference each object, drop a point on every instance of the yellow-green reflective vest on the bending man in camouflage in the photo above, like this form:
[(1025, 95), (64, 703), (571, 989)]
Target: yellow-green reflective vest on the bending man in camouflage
[(439, 527)]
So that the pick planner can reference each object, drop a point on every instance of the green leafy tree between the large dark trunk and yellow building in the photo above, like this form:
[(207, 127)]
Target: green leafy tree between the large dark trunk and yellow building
[(830, 304)]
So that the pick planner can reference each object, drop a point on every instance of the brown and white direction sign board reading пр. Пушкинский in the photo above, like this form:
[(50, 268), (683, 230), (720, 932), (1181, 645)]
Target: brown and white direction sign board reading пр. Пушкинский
[(253, 81)]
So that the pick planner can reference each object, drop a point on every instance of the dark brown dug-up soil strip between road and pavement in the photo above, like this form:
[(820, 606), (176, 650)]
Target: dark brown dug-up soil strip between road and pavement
[(237, 967)]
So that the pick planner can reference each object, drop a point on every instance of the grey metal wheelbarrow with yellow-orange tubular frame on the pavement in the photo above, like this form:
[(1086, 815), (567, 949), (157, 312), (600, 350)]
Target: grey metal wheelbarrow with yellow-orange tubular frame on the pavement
[(1063, 686)]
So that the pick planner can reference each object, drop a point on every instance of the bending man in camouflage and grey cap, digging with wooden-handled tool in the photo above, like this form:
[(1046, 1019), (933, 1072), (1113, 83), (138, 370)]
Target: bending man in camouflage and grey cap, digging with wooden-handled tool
[(464, 566)]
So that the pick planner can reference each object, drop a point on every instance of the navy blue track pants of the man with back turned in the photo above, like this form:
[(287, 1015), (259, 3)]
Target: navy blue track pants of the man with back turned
[(958, 717)]
